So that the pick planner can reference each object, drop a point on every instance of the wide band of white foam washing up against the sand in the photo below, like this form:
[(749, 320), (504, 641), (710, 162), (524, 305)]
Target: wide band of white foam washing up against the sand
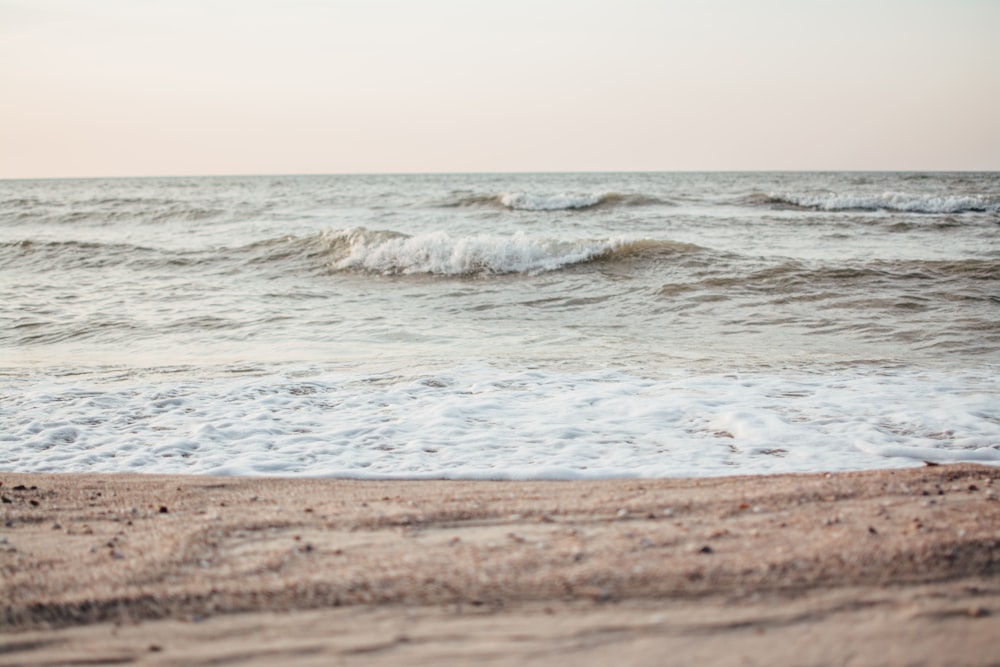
[(477, 421)]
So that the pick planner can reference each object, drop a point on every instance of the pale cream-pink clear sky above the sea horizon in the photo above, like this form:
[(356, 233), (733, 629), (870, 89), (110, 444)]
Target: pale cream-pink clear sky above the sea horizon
[(202, 87)]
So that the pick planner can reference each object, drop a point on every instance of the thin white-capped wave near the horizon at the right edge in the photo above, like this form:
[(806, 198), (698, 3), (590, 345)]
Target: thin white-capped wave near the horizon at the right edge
[(888, 201)]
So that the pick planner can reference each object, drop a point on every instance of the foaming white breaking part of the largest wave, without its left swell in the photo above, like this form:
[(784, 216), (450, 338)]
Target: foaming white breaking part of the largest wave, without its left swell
[(438, 253)]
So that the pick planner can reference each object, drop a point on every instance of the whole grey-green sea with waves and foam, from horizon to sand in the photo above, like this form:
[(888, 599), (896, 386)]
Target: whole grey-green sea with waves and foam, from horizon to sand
[(500, 326)]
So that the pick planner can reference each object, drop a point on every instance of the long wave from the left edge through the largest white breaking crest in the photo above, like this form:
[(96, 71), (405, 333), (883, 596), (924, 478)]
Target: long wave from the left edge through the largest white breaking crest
[(373, 251)]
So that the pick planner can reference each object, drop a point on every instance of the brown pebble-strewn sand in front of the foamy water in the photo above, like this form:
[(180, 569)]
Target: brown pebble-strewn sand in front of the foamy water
[(876, 568)]
